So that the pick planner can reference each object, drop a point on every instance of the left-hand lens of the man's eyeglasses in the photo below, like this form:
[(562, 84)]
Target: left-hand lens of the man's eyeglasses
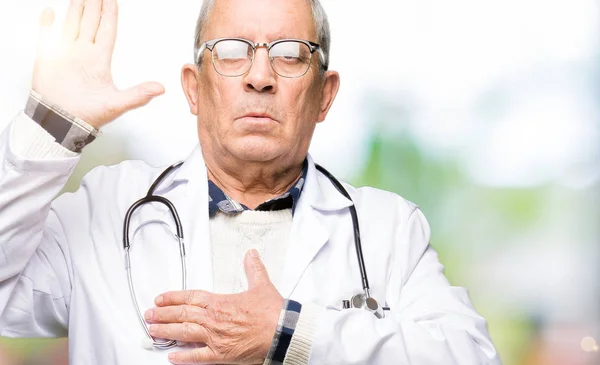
[(232, 57)]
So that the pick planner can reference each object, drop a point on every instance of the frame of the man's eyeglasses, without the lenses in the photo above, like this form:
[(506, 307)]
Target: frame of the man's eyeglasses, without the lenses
[(209, 45)]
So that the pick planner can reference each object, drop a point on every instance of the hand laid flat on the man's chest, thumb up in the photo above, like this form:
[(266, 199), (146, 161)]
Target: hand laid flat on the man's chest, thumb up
[(236, 328)]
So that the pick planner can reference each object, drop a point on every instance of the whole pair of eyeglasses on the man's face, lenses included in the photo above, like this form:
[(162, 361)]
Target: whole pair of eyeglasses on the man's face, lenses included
[(233, 57)]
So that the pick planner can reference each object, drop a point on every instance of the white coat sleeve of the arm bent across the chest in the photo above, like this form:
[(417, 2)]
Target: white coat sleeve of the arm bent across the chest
[(430, 322)]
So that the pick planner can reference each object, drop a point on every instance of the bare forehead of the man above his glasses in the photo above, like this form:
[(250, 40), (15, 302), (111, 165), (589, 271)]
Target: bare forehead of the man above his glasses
[(261, 20)]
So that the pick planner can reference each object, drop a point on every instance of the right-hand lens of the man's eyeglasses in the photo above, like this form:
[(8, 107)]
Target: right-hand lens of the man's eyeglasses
[(290, 58)]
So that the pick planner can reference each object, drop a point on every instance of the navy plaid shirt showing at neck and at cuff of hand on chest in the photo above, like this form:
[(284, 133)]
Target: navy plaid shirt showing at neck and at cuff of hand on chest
[(290, 312)]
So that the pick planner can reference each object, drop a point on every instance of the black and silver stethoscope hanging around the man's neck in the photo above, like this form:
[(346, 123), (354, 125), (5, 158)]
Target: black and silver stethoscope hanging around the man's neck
[(362, 300)]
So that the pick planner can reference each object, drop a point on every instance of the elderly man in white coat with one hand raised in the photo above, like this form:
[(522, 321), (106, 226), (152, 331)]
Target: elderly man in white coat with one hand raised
[(250, 195)]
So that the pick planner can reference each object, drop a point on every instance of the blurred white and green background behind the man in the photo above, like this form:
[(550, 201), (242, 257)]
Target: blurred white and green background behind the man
[(484, 113)]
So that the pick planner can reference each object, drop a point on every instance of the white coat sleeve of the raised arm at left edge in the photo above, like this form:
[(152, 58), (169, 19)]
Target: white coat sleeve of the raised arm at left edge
[(35, 272)]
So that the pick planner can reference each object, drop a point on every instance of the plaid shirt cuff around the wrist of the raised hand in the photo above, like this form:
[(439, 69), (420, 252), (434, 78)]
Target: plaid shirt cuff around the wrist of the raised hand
[(67, 130)]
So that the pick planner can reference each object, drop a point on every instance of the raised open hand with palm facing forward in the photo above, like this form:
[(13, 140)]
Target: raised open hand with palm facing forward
[(75, 74)]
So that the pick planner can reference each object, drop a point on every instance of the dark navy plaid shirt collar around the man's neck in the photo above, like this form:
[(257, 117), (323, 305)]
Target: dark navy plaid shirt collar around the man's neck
[(219, 201)]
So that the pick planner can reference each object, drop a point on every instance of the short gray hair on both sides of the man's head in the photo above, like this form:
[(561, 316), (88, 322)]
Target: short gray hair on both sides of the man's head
[(321, 25)]
